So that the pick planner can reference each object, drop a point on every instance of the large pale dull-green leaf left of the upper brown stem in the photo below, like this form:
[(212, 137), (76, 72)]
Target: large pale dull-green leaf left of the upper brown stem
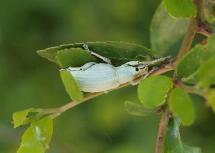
[(166, 32)]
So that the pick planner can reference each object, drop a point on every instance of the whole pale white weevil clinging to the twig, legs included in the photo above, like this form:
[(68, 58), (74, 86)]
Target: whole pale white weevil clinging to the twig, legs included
[(97, 77)]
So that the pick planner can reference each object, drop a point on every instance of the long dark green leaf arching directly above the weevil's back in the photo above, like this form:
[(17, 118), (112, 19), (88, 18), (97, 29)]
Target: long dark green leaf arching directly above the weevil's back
[(117, 52)]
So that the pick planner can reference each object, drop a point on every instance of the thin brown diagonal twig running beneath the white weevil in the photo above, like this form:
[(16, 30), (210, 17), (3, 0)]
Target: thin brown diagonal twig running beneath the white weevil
[(55, 112)]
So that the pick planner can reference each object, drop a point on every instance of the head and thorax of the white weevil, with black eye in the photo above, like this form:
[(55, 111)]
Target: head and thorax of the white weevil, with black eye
[(127, 73)]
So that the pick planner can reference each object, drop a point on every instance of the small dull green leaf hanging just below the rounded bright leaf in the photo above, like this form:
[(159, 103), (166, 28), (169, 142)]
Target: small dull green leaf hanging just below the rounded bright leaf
[(137, 109)]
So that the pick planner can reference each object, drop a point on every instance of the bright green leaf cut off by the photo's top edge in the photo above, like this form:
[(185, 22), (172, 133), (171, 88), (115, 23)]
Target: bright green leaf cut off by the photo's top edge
[(181, 8)]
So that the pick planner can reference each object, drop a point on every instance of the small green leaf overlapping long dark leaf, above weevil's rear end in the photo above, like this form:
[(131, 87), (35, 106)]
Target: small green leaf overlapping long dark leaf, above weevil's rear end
[(71, 56)]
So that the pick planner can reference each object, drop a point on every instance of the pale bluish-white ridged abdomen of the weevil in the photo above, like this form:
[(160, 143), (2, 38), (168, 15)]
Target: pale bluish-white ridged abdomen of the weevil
[(96, 78)]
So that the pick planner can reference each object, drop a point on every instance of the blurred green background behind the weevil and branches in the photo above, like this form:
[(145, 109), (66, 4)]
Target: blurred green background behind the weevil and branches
[(26, 80)]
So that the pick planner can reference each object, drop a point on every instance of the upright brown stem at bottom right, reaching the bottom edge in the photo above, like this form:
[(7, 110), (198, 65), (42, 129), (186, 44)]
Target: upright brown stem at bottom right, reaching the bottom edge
[(162, 131)]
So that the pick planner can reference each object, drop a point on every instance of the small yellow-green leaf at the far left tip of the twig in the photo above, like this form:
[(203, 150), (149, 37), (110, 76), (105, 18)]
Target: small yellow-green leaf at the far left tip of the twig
[(20, 117)]
